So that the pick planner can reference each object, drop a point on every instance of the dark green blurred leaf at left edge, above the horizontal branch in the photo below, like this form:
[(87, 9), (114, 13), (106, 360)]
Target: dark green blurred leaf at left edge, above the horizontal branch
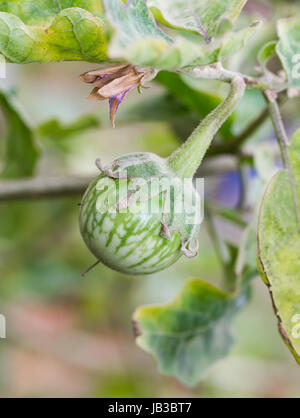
[(21, 151)]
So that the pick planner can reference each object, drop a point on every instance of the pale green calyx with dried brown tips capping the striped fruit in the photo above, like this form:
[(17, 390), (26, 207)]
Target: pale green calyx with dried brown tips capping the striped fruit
[(149, 176)]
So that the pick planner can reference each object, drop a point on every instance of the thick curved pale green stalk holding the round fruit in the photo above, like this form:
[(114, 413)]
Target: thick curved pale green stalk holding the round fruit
[(186, 159)]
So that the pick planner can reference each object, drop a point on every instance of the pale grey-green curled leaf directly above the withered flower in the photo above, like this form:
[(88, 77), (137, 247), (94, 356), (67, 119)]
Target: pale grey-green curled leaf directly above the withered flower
[(139, 41)]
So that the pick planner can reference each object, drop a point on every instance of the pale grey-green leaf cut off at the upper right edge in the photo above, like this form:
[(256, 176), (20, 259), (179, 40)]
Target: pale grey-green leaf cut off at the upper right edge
[(288, 48)]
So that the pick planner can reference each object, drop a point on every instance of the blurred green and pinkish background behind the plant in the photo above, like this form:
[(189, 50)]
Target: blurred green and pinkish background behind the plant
[(72, 336)]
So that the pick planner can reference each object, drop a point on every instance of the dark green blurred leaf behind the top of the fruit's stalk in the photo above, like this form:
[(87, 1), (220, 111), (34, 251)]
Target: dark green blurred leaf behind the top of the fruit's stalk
[(201, 102)]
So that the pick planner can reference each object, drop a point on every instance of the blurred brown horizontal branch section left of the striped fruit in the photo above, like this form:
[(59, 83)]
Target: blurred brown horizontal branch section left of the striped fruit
[(42, 187)]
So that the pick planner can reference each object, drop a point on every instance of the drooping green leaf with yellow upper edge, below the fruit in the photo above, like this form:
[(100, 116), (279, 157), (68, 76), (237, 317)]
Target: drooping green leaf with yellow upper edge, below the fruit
[(189, 334)]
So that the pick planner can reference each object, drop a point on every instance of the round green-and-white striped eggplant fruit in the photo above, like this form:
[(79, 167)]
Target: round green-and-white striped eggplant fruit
[(138, 237)]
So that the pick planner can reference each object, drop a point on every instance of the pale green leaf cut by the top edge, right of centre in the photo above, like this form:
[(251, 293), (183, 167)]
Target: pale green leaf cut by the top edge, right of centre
[(198, 15)]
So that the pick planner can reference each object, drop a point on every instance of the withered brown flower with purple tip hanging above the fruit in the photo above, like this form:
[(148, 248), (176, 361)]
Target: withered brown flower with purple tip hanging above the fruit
[(113, 83)]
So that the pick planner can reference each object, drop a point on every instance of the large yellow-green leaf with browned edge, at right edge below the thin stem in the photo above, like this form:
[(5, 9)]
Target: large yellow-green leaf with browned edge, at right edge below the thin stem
[(279, 249)]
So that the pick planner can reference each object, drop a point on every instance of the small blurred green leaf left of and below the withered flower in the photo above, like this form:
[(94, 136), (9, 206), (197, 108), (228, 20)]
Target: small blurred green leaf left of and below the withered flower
[(55, 131)]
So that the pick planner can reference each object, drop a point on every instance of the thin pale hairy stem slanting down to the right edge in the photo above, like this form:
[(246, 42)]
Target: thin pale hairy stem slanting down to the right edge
[(283, 142)]
